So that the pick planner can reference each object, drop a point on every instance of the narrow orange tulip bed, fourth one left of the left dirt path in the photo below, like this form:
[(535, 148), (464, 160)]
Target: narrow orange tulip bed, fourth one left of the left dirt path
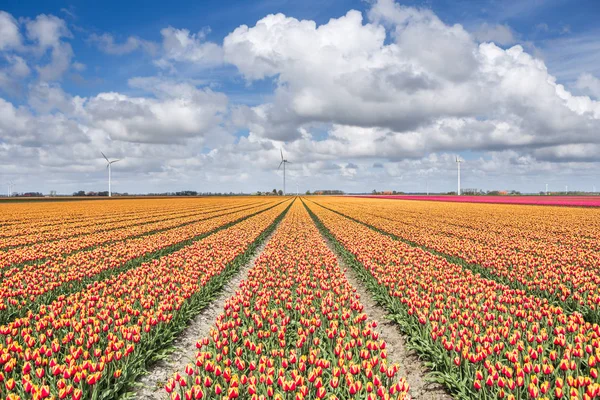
[(70, 230)]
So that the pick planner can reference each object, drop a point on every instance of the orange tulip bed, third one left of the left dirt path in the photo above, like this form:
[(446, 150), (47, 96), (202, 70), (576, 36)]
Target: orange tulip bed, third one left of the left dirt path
[(16, 257)]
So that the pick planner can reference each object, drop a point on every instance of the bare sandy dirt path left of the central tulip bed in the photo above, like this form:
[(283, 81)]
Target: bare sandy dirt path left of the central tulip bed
[(151, 386)]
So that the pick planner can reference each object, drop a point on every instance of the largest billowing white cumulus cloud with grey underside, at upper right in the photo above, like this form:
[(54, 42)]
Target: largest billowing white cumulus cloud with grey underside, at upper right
[(432, 88)]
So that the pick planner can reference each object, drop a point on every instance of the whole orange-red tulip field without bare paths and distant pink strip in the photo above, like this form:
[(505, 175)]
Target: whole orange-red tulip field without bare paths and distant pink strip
[(498, 301)]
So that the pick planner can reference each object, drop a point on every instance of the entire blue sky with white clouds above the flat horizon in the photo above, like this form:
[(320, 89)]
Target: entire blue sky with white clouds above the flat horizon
[(361, 95)]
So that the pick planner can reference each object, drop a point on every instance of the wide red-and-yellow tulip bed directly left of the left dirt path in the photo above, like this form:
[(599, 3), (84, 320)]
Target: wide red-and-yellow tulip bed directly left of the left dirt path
[(92, 344)]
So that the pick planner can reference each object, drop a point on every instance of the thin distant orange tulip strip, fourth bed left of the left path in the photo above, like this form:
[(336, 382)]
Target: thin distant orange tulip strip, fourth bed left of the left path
[(70, 231)]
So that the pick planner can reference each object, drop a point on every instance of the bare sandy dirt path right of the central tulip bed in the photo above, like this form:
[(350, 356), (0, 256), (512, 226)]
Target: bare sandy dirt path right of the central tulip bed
[(410, 366)]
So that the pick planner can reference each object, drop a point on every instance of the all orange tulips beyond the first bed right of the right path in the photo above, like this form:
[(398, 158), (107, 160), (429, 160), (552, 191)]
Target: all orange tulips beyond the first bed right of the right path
[(545, 259)]
